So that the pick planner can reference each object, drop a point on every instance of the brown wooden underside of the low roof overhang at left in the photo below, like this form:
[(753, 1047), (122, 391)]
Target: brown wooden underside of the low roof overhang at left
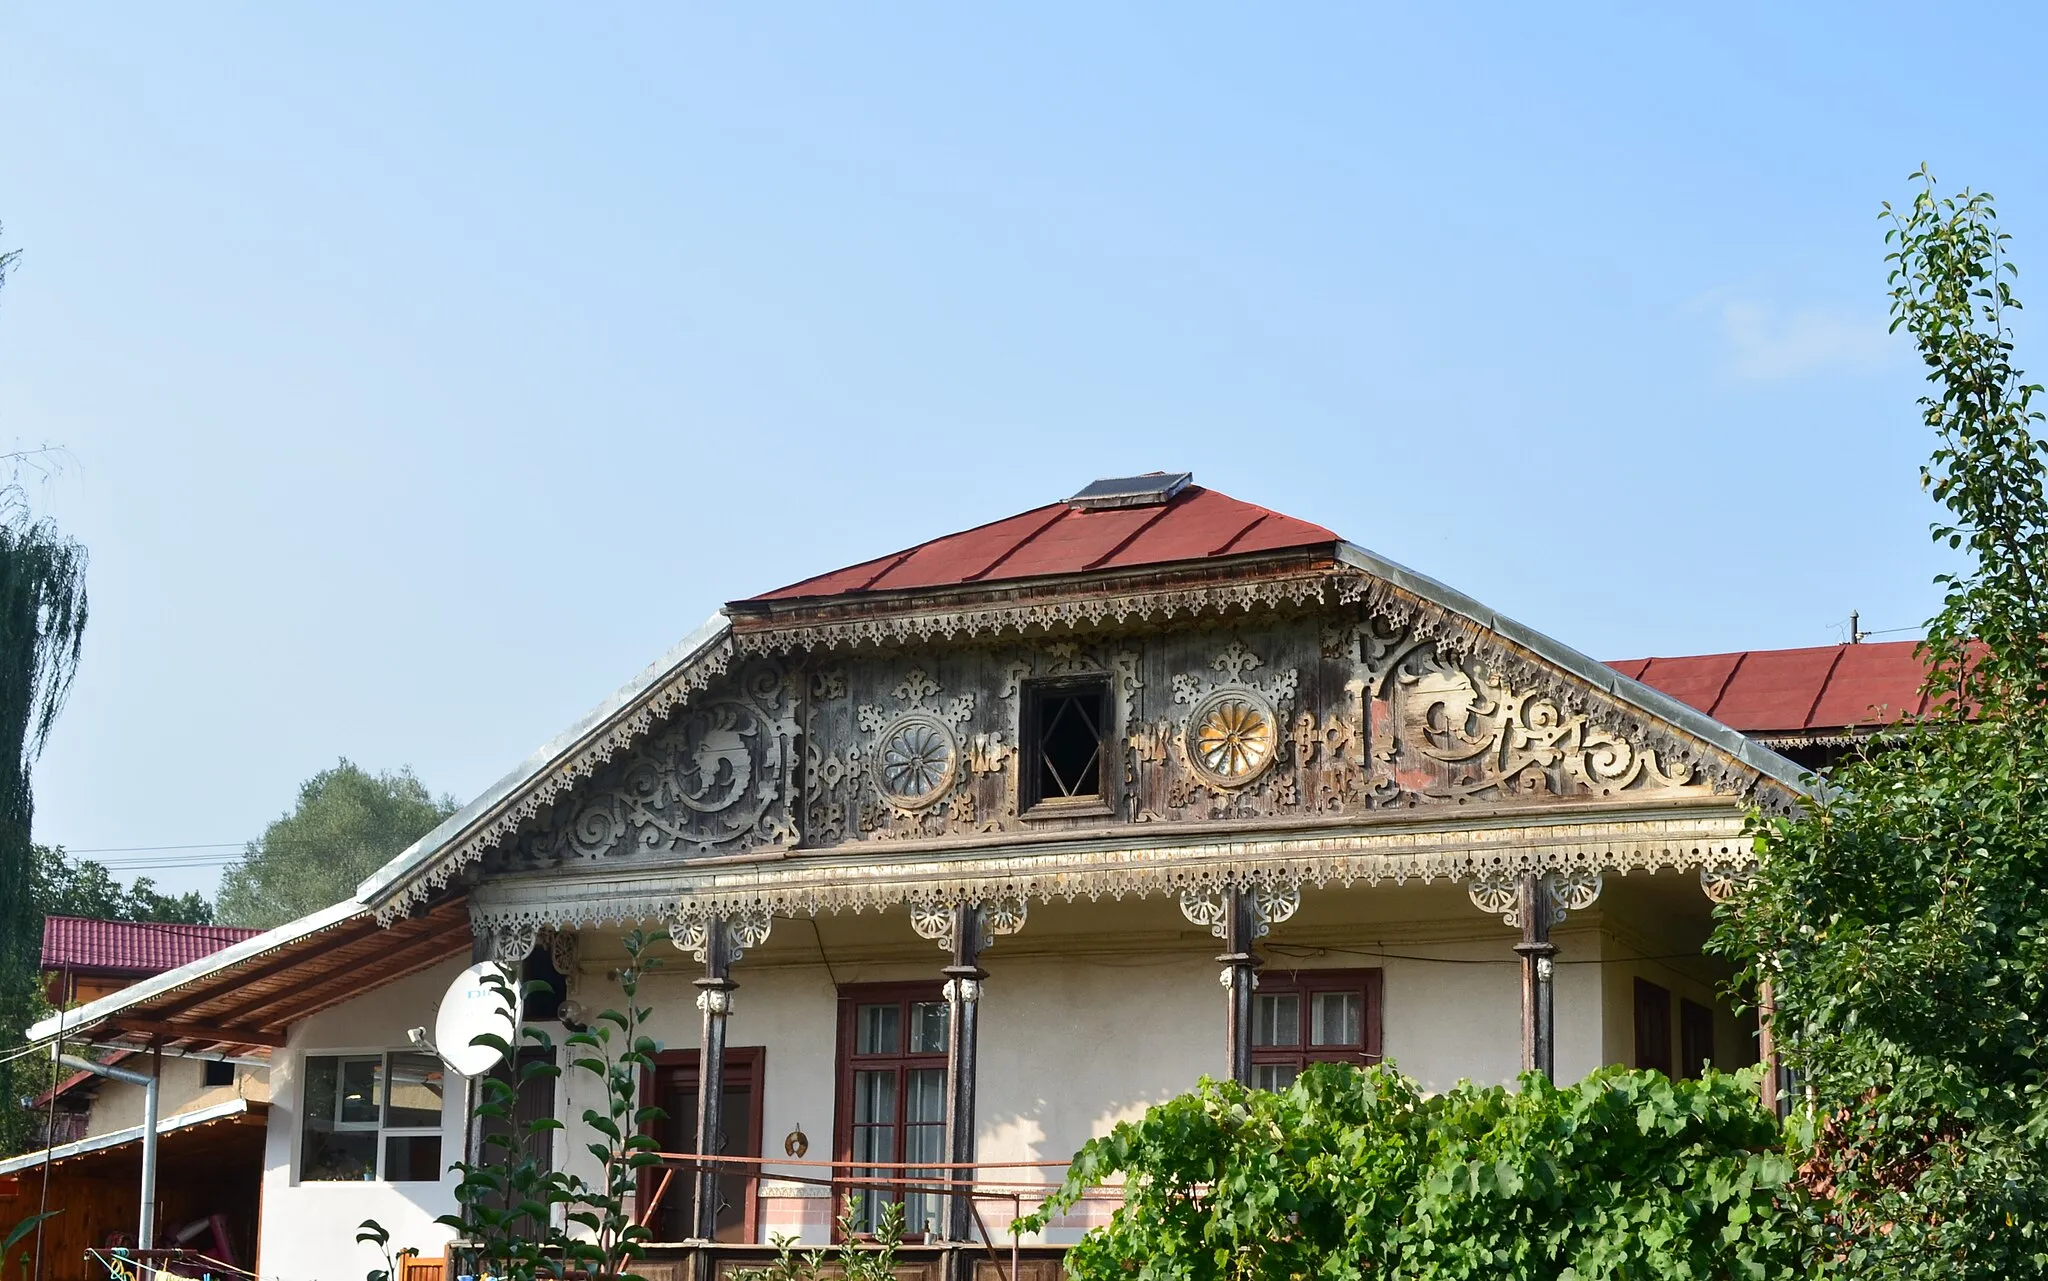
[(251, 1003)]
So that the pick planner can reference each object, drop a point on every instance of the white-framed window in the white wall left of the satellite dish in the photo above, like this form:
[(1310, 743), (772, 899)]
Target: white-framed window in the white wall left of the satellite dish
[(372, 1118)]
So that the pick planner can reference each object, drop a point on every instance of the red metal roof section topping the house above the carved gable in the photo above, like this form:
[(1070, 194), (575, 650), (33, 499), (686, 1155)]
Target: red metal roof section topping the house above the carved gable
[(1068, 540)]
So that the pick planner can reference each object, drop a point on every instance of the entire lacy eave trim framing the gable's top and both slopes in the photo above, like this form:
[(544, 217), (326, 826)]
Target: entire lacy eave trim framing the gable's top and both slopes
[(1291, 581)]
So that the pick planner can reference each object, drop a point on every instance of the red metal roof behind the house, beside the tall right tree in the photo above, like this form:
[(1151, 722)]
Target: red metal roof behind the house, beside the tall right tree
[(1787, 692)]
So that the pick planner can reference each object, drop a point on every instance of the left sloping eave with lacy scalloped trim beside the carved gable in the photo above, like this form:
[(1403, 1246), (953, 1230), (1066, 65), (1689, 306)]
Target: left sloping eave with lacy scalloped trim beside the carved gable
[(617, 725)]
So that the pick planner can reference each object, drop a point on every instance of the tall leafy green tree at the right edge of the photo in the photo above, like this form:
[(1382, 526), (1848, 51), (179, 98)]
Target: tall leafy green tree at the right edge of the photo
[(1904, 919)]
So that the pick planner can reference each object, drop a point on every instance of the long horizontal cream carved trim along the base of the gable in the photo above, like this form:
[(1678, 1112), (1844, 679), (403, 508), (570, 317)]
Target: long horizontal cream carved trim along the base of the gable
[(1121, 870)]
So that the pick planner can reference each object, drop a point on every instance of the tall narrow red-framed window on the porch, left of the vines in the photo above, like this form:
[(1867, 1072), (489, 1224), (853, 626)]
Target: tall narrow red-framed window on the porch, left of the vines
[(894, 1098)]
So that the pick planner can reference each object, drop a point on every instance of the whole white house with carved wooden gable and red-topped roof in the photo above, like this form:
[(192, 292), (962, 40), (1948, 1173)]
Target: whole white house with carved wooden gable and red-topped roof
[(968, 854)]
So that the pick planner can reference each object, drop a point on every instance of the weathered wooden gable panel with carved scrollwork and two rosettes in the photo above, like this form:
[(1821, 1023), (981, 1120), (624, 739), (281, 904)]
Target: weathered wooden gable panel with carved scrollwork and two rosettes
[(1324, 714)]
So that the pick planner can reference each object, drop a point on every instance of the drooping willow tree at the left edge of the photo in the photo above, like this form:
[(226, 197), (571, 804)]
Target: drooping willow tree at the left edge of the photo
[(42, 628)]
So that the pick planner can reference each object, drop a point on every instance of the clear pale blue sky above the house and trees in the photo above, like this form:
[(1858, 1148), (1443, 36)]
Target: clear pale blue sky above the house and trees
[(429, 372)]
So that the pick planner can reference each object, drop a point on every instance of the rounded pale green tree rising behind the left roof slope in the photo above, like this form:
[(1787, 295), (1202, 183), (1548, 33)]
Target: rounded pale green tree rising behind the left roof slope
[(345, 827)]
